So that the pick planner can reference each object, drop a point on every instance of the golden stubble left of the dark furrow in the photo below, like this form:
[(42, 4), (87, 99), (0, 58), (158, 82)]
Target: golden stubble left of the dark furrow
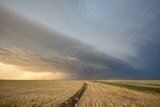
[(36, 93)]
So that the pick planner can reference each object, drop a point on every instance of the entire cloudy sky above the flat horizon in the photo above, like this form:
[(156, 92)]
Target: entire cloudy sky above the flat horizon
[(80, 39)]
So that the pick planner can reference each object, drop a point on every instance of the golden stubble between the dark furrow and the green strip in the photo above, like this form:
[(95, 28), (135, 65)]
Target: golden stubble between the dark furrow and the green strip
[(102, 95)]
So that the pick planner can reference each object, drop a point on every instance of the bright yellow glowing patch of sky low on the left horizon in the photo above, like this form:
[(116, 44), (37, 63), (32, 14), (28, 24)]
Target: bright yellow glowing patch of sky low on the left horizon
[(12, 72)]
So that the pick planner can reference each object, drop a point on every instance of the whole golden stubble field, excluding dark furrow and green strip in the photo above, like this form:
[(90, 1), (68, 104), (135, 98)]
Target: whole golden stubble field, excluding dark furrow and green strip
[(54, 93)]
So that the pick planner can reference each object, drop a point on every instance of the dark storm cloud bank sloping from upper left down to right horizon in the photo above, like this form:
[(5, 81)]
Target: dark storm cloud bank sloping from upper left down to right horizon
[(31, 46)]
